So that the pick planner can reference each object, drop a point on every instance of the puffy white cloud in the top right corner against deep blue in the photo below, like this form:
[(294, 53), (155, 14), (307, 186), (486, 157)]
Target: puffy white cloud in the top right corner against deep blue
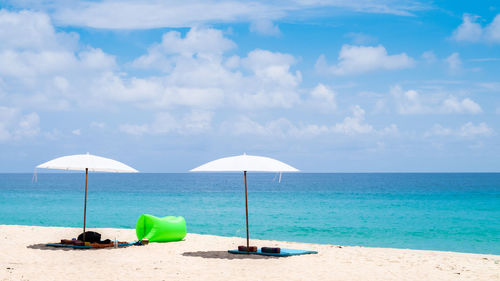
[(471, 31)]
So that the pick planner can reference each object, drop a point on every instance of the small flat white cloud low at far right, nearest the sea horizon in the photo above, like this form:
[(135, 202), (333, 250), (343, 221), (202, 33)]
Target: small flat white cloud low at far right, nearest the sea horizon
[(467, 130)]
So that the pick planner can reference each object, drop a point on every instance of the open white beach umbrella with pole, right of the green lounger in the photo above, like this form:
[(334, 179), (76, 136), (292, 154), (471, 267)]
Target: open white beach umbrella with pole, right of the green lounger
[(245, 163)]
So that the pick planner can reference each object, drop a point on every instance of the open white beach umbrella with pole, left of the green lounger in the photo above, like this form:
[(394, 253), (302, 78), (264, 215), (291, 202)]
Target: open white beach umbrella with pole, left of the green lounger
[(87, 162)]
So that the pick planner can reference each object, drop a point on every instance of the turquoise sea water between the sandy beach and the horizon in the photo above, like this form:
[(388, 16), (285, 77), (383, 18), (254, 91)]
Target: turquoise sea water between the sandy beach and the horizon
[(451, 212)]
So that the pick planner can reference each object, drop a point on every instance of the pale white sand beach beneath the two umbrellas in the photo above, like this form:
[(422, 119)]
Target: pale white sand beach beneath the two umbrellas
[(205, 257)]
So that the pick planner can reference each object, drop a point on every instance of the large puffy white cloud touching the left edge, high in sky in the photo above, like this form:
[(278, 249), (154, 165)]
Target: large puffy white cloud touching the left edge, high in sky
[(42, 68)]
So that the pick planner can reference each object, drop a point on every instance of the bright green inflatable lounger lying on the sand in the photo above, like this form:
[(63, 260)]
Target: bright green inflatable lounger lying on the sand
[(157, 229)]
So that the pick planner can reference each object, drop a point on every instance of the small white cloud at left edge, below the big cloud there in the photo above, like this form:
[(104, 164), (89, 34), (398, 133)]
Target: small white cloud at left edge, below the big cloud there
[(14, 125)]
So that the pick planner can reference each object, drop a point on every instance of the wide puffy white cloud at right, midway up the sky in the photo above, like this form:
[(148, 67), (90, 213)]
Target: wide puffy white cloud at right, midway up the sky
[(412, 102)]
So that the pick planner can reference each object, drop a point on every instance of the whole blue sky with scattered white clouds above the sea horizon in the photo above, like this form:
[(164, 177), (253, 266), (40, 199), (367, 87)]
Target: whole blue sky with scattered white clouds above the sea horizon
[(323, 85)]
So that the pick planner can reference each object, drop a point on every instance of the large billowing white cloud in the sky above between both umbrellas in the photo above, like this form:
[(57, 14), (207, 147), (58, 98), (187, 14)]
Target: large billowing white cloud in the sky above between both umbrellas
[(204, 77)]
